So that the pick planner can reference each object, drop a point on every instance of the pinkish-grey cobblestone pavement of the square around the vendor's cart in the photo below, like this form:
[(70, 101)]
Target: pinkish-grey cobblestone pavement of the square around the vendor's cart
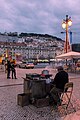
[(9, 110)]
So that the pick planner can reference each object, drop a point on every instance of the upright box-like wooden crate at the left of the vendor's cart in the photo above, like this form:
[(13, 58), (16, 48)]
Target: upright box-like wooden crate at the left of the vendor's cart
[(23, 99)]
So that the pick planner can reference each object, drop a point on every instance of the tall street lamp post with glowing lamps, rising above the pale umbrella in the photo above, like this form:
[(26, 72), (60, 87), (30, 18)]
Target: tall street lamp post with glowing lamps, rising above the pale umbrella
[(65, 24)]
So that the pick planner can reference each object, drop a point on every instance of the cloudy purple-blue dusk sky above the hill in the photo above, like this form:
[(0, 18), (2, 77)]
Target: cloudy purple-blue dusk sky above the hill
[(40, 16)]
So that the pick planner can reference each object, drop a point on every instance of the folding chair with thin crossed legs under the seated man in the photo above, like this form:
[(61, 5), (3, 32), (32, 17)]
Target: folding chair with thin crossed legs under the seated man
[(65, 98)]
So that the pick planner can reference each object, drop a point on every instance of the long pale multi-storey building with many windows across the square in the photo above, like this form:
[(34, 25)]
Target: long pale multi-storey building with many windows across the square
[(28, 52)]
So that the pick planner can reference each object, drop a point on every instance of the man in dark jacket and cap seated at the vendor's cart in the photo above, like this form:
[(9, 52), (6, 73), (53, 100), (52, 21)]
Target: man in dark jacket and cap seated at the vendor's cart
[(61, 78)]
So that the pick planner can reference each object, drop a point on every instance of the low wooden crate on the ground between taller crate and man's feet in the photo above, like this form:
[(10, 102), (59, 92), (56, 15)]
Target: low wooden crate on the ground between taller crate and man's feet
[(43, 102)]
